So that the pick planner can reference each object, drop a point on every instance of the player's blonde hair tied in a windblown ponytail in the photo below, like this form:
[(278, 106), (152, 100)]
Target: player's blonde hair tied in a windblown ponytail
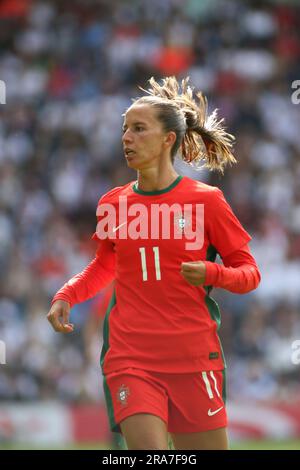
[(201, 139)]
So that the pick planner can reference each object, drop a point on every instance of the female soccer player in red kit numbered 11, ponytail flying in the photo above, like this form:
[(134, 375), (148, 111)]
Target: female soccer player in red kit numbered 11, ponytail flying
[(158, 237)]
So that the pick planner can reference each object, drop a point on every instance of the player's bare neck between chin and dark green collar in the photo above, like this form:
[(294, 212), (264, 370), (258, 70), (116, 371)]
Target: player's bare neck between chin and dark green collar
[(155, 179)]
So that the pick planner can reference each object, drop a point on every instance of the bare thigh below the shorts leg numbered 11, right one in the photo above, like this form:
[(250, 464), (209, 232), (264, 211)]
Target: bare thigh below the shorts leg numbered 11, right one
[(215, 439)]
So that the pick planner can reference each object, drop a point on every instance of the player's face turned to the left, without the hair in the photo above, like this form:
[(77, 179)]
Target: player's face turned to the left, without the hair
[(144, 140)]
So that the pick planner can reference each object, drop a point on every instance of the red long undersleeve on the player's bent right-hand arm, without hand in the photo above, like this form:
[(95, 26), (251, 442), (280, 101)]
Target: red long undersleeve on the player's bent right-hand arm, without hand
[(239, 274)]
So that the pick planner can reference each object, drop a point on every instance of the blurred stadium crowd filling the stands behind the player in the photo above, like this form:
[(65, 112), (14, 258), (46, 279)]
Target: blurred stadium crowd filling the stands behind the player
[(70, 69)]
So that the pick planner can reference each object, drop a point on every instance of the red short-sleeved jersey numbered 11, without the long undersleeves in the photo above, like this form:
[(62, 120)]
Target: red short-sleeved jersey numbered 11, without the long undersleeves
[(154, 314)]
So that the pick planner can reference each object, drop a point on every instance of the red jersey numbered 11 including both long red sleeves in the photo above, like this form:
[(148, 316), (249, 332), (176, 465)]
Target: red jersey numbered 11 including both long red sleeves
[(157, 320)]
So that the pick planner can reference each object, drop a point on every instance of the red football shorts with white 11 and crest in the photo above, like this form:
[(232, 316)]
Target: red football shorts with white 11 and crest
[(191, 402)]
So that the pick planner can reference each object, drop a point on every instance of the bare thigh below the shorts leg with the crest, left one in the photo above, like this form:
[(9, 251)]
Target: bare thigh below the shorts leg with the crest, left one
[(145, 431)]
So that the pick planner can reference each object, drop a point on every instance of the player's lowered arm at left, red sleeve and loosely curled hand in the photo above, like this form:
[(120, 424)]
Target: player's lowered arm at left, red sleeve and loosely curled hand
[(97, 275)]
